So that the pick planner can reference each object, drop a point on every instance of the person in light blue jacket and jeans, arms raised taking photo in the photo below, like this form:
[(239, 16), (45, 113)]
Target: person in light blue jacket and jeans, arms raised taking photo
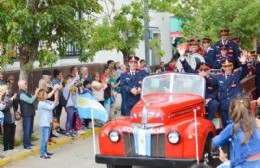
[(45, 108)]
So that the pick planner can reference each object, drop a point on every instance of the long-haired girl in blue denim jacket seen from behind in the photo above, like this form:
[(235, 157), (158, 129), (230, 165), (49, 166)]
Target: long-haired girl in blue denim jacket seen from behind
[(243, 134)]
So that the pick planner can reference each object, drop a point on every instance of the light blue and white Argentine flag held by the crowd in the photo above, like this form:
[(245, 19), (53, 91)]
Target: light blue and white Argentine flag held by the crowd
[(85, 103)]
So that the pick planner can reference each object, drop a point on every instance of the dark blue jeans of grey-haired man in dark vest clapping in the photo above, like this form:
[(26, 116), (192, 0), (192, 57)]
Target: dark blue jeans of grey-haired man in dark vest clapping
[(27, 130)]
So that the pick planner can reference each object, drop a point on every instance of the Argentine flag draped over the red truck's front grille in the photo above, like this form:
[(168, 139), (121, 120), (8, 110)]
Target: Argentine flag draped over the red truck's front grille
[(142, 141)]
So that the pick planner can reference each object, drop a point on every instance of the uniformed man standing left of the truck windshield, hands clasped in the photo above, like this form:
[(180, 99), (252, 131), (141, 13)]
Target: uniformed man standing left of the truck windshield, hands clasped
[(131, 82)]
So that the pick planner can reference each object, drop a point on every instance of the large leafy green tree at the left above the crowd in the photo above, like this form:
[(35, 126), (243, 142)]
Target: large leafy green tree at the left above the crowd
[(32, 30)]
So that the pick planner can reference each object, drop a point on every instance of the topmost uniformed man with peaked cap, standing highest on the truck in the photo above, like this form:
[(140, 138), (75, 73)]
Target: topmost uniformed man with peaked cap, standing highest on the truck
[(231, 46)]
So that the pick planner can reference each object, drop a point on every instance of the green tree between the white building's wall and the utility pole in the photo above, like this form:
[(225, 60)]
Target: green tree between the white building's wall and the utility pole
[(121, 30)]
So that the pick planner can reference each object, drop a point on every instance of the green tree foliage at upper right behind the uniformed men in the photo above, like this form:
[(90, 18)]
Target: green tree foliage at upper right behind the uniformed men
[(206, 18)]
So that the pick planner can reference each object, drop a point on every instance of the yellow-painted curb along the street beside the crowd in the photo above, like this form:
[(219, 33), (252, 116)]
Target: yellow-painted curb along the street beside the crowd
[(21, 155)]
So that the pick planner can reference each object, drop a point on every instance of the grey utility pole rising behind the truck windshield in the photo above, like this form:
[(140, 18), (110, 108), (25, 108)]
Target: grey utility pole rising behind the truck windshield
[(147, 32)]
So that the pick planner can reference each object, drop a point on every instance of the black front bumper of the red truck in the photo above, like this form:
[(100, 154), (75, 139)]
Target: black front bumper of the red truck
[(144, 161)]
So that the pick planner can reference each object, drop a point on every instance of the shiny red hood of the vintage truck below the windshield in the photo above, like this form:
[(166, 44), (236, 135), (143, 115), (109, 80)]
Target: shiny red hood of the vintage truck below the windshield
[(164, 107)]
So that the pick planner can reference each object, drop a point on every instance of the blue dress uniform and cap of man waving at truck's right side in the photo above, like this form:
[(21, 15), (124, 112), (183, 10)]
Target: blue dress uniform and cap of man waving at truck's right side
[(229, 87)]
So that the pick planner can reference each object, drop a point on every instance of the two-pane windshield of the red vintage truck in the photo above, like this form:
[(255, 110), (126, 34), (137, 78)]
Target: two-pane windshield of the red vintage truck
[(174, 83)]
